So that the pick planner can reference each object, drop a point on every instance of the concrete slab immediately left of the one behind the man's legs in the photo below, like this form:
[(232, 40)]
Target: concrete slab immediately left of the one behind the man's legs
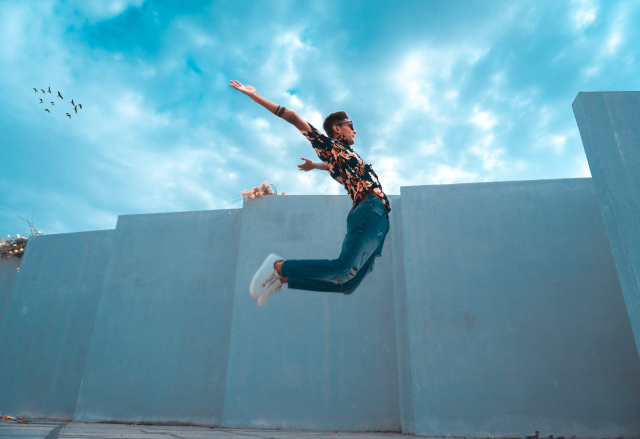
[(161, 337)]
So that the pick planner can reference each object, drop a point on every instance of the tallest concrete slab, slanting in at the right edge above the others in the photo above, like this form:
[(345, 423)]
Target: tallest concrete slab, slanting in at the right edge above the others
[(609, 125)]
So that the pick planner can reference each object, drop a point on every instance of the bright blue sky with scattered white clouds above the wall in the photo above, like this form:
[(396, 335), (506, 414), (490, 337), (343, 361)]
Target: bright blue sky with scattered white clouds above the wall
[(439, 92)]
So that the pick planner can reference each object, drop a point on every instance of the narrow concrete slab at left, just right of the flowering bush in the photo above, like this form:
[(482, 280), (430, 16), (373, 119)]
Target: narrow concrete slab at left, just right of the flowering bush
[(48, 323)]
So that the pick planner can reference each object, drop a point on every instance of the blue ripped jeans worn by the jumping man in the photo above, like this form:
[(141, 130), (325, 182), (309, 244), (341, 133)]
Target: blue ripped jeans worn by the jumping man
[(367, 228)]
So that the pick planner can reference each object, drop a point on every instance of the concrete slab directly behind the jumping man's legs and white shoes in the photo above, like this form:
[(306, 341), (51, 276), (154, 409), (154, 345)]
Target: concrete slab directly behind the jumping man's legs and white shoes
[(308, 359)]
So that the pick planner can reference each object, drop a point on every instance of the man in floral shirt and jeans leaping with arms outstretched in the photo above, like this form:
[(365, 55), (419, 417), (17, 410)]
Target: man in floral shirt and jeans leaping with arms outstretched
[(367, 222)]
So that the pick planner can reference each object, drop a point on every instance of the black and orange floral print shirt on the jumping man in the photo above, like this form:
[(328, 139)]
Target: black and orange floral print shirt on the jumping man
[(346, 167)]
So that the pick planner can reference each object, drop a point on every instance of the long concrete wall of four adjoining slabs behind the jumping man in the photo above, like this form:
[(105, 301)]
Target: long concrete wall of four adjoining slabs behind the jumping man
[(495, 310)]
